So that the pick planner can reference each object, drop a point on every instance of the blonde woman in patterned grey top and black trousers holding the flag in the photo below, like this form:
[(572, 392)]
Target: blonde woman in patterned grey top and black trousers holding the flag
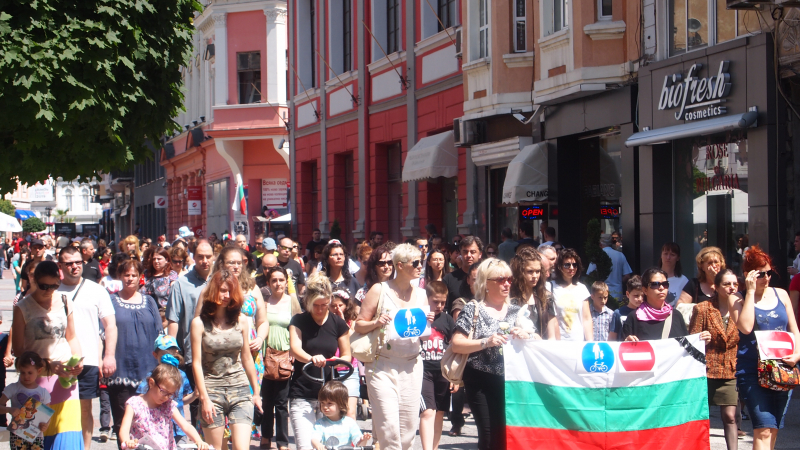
[(484, 374)]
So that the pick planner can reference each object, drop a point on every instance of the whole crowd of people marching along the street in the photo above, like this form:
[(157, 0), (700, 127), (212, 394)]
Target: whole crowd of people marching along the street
[(242, 335)]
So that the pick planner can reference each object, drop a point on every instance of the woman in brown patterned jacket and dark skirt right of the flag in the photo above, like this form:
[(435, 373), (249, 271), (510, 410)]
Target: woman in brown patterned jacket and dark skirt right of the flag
[(712, 320)]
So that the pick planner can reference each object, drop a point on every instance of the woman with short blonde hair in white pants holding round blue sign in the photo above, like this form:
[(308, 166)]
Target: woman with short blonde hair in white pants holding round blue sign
[(394, 379)]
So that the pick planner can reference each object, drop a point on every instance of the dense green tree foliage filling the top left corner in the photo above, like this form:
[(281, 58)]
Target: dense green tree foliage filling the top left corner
[(85, 83)]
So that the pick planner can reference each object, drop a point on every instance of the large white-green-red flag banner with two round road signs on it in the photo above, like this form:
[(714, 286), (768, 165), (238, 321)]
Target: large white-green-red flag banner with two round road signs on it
[(606, 395)]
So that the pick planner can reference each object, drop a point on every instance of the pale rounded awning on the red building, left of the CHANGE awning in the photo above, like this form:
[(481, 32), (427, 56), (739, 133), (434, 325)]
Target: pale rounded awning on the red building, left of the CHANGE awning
[(433, 156)]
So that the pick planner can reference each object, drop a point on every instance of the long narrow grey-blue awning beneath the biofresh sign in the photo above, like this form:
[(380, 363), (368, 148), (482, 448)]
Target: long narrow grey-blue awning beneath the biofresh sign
[(699, 128)]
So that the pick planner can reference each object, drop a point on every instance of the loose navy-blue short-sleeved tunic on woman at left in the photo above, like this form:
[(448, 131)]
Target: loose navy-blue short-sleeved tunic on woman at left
[(138, 326)]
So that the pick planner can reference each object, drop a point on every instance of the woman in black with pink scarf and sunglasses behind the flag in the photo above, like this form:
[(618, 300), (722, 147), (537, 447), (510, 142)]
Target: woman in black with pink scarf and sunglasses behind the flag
[(647, 322)]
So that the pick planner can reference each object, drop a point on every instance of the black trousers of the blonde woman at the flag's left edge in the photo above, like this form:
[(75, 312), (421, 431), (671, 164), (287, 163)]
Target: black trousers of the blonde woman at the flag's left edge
[(486, 395)]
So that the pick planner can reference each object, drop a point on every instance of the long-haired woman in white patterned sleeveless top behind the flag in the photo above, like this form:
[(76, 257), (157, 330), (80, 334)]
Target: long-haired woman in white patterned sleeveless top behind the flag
[(570, 295)]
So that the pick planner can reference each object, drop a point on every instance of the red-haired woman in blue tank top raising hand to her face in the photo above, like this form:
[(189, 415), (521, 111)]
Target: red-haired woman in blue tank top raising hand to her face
[(763, 308)]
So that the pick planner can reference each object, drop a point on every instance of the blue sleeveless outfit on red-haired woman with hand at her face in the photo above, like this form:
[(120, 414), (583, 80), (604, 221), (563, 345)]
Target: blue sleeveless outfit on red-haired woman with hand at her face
[(767, 407)]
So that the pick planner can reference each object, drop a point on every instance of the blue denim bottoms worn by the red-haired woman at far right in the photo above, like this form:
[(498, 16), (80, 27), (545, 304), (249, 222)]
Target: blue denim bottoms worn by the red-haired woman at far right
[(767, 408)]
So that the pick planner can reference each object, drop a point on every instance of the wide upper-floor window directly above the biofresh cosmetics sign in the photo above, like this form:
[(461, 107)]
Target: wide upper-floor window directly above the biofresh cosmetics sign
[(695, 24)]
